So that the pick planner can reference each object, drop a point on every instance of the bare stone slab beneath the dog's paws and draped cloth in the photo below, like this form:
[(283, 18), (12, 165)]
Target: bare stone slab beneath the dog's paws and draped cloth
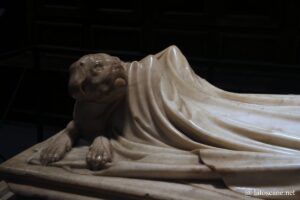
[(53, 183)]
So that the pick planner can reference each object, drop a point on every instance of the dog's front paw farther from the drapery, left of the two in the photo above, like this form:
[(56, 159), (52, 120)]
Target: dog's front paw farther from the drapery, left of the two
[(56, 149)]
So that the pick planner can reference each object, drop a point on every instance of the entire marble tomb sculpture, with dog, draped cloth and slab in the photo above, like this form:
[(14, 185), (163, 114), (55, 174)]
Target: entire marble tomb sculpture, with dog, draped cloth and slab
[(153, 129)]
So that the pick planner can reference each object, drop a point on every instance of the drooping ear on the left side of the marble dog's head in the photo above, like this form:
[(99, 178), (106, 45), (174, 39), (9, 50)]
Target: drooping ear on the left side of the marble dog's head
[(77, 77)]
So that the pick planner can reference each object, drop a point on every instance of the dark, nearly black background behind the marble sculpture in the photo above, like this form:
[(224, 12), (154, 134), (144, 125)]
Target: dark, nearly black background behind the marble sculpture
[(243, 46)]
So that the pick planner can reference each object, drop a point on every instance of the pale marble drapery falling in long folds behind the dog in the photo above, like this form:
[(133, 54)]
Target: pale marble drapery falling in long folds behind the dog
[(180, 128)]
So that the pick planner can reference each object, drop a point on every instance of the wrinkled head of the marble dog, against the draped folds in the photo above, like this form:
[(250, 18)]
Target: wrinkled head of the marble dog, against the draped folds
[(96, 77)]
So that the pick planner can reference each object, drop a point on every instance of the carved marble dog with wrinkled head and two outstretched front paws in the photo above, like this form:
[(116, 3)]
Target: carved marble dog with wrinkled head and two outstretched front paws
[(98, 83)]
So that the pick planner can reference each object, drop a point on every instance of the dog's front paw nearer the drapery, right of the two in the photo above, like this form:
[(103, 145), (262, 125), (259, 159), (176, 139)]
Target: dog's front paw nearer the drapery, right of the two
[(99, 153)]
